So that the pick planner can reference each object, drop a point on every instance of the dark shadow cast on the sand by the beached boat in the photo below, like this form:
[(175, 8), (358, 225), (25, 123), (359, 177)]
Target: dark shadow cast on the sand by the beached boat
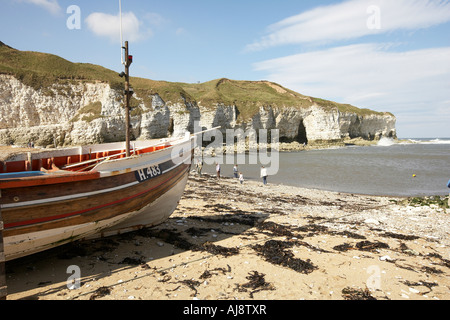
[(103, 257)]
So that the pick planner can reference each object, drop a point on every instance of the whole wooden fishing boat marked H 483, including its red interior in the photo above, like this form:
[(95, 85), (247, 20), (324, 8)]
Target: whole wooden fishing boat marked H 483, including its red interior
[(50, 198)]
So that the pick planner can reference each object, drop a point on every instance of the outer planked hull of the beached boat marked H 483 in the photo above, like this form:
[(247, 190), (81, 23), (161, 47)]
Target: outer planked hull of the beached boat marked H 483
[(120, 195)]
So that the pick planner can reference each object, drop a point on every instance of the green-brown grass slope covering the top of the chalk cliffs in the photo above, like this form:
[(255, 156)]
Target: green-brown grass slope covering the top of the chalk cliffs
[(42, 70)]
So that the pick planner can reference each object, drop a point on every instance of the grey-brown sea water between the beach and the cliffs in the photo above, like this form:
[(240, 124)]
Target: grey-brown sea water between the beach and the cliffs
[(414, 167)]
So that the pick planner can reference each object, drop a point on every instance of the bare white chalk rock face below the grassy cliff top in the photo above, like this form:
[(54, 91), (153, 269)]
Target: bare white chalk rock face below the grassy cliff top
[(91, 112)]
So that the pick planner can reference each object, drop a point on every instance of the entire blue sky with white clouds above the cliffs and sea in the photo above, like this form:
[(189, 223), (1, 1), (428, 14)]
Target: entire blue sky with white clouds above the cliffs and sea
[(385, 55)]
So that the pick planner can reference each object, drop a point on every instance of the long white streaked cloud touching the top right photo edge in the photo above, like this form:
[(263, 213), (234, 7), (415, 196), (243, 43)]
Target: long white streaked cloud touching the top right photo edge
[(350, 19)]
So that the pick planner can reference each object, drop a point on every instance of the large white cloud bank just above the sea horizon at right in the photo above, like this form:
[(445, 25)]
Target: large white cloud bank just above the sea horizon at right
[(369, 75)]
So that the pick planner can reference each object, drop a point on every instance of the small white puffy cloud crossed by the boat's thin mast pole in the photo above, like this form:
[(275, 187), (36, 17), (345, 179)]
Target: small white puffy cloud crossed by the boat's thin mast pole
[(107, 25)]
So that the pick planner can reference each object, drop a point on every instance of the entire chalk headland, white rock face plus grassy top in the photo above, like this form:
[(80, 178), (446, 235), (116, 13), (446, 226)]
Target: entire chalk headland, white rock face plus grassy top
[(54, 102)]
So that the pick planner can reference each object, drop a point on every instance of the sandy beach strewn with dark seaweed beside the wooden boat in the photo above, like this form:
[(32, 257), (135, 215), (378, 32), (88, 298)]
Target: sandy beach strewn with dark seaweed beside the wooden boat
[(228, 241)]
